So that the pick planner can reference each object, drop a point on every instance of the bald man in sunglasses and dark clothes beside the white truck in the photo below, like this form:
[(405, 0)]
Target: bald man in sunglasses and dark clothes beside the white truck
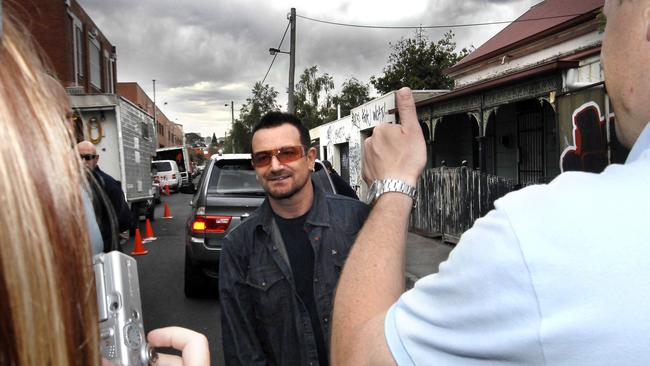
[(112, 211)]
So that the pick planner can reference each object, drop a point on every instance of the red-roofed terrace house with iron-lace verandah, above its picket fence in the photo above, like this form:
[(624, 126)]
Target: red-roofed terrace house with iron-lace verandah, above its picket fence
[(530, 102)]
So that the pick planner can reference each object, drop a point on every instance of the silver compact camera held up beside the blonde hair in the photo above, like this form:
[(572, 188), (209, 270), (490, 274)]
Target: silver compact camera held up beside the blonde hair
[(121, 326)]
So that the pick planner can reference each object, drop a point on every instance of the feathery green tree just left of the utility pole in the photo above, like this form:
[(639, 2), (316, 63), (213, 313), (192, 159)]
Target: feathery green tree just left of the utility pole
[(262, 101)]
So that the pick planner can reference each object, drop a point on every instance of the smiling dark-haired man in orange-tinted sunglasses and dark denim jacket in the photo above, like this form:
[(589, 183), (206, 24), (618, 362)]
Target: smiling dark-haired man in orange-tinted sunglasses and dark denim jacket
[(279, 268)]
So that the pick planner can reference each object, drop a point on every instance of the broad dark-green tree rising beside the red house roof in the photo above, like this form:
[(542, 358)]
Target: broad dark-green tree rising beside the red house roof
[(419, 63)]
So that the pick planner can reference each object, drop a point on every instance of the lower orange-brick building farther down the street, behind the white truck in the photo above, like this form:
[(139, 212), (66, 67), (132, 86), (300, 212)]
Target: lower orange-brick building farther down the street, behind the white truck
[(168, 132)]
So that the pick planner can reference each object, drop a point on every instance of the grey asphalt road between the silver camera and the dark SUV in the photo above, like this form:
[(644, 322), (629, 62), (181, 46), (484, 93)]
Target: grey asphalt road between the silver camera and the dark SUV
[(161, 279)]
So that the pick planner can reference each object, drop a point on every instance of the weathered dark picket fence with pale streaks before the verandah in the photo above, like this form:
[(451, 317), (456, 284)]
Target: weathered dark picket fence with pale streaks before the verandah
[(451, 199)]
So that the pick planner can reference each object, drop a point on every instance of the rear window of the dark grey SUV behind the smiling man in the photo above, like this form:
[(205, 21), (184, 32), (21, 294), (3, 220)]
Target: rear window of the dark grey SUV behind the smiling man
[(234, 176)]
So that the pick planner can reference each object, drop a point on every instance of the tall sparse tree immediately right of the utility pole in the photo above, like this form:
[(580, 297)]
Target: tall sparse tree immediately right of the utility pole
[(313, 99)]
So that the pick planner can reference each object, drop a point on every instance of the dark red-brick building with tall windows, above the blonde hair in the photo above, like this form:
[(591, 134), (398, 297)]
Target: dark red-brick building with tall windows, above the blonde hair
[(83, 59)]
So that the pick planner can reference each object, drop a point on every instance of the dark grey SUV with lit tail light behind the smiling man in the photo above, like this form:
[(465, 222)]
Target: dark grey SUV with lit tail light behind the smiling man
[(227, 194)]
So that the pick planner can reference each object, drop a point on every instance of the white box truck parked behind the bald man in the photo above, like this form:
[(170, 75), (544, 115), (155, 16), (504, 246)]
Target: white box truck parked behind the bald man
[(125, 139)]
